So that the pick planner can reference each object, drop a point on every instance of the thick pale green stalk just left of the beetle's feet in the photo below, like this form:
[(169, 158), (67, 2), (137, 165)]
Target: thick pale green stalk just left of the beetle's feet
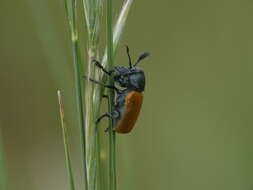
[(93, 13)]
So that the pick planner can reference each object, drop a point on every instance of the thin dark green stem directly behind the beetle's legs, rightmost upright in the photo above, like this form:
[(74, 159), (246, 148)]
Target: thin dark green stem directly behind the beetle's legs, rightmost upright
[(112, 155)]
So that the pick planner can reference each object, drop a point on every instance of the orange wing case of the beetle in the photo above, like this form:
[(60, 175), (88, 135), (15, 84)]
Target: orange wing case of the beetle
[(133, 102)]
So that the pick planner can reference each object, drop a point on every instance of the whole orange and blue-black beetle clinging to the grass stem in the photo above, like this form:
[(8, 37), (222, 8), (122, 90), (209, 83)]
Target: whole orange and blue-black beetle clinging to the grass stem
[(128, 102)]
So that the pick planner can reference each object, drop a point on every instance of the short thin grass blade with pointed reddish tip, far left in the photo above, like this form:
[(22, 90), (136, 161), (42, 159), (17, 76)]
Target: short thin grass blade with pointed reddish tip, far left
[(65, 142)]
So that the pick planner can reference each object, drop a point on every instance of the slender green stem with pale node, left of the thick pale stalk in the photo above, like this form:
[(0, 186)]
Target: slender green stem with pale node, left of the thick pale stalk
[(72, 19)]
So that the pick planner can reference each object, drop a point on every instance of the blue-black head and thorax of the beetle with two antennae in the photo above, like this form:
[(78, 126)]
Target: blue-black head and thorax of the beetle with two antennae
[(131, 77)]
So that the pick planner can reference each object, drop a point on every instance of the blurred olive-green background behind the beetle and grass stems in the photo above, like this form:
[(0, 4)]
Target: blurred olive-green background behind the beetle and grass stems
[(195, 129)]
